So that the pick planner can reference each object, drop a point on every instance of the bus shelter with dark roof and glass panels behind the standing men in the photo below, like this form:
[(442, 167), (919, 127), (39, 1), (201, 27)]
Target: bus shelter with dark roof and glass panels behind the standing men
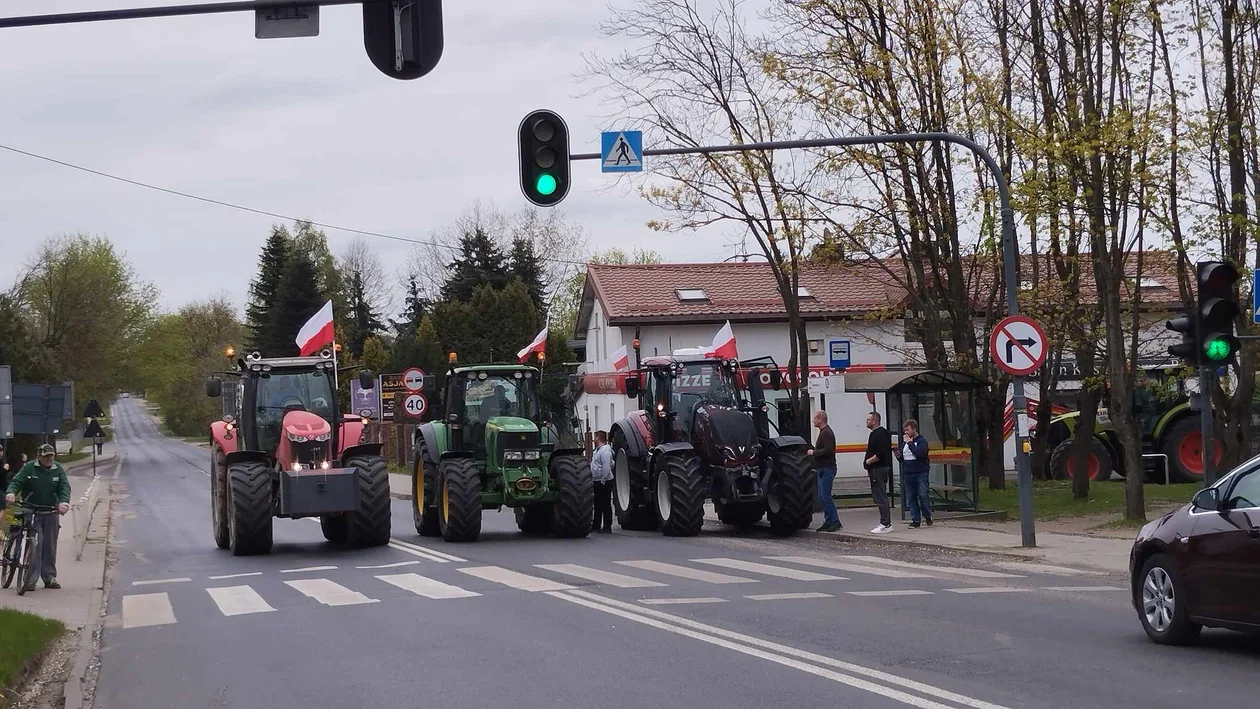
[(943, 404)]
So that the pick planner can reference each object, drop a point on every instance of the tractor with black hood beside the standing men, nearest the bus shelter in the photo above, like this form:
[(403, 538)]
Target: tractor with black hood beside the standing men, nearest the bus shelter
[(702, 431)]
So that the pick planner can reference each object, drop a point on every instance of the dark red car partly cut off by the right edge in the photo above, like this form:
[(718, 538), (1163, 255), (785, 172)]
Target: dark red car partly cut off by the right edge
[(1200, 566)]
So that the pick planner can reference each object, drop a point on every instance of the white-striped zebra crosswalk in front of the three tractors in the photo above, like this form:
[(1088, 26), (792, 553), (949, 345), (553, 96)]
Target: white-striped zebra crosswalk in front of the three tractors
[(657, 582)]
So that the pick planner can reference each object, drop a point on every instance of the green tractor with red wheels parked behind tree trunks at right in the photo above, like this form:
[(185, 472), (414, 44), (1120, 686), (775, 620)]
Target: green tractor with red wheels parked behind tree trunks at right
[(1170, 434)]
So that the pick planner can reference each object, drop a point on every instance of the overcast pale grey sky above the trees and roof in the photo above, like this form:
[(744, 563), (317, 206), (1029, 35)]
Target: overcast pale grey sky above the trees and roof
[(304, 128)]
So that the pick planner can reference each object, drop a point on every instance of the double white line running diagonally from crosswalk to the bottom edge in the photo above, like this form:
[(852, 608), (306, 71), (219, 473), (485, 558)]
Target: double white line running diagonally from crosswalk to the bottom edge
[(782, 654)]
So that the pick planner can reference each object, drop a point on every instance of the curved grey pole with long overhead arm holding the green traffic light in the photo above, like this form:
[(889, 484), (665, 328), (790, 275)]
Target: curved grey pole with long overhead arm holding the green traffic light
[(1024, 467)]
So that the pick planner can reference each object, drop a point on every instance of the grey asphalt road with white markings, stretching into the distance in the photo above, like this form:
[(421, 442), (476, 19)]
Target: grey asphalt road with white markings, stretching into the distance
[(545, 623)]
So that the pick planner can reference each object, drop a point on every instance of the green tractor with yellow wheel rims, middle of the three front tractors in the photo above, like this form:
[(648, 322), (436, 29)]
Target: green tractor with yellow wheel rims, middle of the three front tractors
[(490, 450)]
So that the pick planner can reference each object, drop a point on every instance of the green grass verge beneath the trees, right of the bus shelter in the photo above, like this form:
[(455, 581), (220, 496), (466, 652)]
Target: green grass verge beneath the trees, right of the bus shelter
[(1053, 499)]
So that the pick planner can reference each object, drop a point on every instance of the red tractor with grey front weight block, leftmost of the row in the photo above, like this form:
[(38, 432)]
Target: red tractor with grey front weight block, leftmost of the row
[(283, 450)]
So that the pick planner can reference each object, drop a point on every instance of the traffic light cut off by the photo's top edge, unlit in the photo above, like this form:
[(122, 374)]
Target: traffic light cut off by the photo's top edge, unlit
[(404, 38)]
